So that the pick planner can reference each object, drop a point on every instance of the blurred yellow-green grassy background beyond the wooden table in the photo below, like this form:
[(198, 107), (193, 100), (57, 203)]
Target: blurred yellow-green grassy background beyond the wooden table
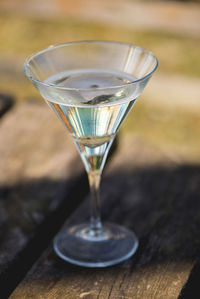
[(168, 112)]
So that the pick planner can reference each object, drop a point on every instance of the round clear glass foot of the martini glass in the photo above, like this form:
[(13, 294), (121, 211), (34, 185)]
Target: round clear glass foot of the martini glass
[(108, 246)]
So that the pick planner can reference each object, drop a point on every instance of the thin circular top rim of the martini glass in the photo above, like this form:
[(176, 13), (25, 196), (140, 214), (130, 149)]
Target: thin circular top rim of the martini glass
[(53, 47)]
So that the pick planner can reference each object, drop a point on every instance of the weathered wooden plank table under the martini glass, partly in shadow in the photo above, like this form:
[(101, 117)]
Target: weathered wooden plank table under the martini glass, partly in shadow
[(43, 187)]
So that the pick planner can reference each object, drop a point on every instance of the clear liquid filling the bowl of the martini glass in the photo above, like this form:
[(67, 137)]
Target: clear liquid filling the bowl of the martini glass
[(91, 117)]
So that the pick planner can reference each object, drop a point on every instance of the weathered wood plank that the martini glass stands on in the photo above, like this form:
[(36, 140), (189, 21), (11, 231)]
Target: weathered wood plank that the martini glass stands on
[(147, 191)]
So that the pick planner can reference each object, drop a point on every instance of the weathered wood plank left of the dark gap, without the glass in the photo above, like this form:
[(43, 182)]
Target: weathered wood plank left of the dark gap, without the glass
[(39, 168)]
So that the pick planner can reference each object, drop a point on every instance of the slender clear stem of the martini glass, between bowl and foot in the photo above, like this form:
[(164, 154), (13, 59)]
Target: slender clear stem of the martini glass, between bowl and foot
[(94, 178)]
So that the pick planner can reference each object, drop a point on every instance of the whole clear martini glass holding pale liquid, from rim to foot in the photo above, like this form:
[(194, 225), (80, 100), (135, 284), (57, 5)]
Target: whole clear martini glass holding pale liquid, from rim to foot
[(92, 86)]
